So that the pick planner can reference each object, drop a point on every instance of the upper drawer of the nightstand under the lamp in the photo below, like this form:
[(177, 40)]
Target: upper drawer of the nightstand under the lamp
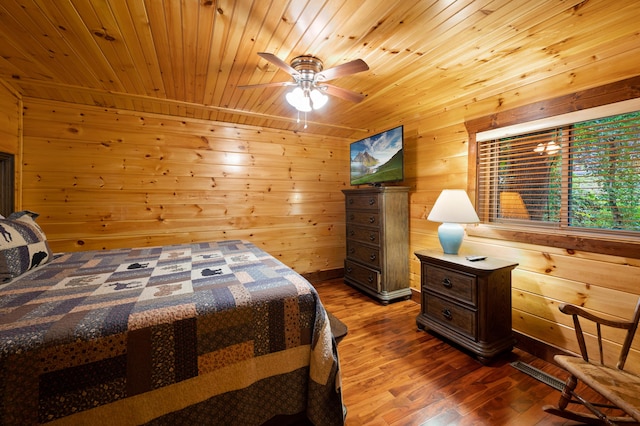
[(450, 283)]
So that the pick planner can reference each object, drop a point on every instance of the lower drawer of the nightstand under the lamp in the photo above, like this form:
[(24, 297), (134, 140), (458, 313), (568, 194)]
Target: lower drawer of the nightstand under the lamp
[(450, 315)]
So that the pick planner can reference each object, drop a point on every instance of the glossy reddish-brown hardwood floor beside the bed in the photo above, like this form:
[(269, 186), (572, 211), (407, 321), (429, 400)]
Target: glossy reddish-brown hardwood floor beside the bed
[(394, 374)]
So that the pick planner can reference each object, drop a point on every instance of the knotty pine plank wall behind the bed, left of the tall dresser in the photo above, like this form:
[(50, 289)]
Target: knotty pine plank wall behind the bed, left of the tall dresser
[(104, 178)]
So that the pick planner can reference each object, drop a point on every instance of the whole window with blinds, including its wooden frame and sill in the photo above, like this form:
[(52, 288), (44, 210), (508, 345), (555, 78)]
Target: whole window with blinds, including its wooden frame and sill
[(563, 172)]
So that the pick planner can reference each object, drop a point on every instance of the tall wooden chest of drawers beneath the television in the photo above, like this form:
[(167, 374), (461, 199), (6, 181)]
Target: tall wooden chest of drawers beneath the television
[(377, 224)]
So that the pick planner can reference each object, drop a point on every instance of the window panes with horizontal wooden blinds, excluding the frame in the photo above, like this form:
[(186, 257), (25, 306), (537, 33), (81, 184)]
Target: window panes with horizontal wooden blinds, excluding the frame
[(583, 175)]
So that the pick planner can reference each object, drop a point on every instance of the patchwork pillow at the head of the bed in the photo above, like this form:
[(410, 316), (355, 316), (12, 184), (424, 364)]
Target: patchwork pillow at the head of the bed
[(23, 245)]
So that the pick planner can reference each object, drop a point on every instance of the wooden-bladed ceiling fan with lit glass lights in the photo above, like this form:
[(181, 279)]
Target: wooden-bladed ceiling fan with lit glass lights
[(310, 79)]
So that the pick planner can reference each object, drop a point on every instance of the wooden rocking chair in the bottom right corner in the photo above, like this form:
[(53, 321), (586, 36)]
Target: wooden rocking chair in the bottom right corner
[(619, 387)]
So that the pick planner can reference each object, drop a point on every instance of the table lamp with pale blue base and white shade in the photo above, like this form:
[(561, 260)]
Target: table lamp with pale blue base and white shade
[(452, 208)]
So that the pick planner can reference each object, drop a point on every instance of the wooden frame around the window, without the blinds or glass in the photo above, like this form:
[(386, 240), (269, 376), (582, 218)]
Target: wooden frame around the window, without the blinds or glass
[(545, 111)]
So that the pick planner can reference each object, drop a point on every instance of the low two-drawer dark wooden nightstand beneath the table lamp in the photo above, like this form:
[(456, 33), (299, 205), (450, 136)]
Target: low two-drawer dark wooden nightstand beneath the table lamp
[(467, 302)]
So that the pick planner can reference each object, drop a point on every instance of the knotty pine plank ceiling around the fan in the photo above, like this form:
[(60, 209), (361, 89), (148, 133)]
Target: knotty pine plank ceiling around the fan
[(188, 57)]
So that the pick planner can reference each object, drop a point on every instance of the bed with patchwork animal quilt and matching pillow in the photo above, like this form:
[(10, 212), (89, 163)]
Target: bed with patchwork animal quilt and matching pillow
[(205, 333)]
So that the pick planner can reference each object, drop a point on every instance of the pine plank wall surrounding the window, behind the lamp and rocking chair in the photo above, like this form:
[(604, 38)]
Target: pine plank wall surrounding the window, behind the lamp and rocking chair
[(546, 276)]
